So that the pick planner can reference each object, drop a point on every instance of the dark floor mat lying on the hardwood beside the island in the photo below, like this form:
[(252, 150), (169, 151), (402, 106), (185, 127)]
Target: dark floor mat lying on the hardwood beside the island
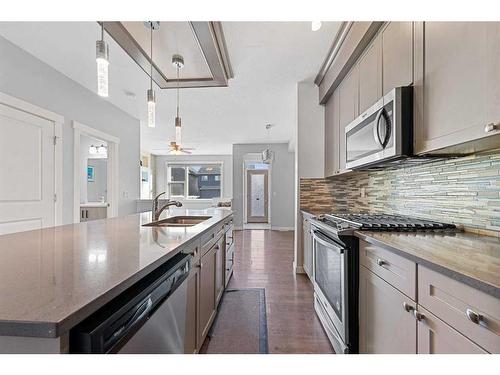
[(241, 324)]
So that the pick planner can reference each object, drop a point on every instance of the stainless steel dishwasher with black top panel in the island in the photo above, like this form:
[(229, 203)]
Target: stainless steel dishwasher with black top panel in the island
[(149, 318)]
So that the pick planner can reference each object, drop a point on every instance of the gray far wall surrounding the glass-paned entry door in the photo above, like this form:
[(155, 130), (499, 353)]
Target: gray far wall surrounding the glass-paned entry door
[(282, 183)]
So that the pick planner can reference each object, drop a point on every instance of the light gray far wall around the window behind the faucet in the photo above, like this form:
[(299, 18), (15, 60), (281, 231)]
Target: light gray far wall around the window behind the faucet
[(227, 174)]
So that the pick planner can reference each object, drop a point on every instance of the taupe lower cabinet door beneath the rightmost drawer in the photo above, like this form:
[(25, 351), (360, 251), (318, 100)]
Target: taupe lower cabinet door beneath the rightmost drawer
[(436, 337)]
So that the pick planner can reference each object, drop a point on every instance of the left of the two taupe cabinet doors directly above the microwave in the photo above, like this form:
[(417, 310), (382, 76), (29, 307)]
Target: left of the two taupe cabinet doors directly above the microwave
[(370, 75)]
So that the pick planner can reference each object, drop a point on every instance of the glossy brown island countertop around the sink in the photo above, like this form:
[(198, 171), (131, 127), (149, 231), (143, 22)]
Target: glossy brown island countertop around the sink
[(53, 278)]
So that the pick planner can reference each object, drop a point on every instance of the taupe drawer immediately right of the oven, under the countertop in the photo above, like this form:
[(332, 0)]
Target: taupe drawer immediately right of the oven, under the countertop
[(396, 270)]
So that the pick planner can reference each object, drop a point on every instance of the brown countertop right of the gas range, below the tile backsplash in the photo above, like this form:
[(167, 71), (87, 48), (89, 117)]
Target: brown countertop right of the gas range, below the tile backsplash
[(469, 258)]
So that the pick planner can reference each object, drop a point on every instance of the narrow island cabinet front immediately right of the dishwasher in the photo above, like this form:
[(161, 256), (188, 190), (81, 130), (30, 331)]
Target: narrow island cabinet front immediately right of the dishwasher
[(192, 311)]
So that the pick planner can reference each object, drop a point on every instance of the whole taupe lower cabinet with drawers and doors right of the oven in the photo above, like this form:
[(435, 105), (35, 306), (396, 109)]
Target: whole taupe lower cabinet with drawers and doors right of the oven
[(448, 316)]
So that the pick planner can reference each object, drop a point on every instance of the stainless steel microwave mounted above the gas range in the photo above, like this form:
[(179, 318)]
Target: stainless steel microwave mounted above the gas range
[(383, 133)]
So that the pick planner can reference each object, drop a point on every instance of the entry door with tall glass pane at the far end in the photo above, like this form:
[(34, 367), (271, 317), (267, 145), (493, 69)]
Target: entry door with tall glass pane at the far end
[(257, 196)]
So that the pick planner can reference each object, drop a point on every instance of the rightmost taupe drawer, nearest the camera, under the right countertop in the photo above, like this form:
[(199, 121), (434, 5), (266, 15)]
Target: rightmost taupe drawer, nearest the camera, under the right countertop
[(457, 303)]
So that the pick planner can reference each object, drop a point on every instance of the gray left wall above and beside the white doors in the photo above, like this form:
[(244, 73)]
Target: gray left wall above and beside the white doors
[(27, 78)]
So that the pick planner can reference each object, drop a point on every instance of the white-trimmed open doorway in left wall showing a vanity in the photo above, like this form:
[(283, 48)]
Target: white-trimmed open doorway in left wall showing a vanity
[(95, 174)]
